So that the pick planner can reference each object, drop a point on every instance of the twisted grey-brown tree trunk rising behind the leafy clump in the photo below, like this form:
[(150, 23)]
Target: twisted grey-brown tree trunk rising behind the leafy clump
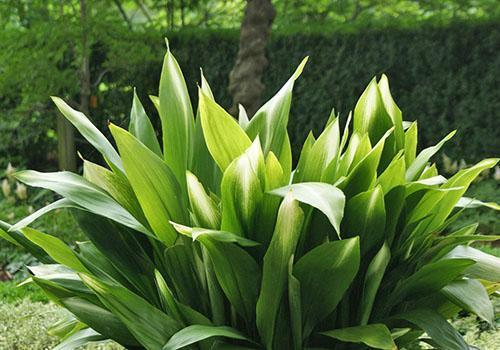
[(245, 79)]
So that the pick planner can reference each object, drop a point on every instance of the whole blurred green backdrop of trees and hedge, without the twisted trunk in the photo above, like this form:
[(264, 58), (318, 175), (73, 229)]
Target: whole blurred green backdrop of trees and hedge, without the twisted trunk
[(441, 57)]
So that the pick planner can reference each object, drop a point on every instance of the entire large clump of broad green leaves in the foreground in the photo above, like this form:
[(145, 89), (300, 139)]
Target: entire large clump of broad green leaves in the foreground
[(209, 239)]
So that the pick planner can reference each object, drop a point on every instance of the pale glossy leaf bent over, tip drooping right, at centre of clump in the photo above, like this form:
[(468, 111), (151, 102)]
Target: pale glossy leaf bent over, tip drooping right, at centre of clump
[(325, 197)]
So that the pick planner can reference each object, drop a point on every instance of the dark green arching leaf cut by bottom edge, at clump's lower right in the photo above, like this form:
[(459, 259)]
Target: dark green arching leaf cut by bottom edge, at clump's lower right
[(436, 327)]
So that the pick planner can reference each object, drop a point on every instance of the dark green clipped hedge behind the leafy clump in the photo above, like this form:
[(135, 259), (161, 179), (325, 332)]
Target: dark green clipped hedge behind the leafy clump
[(447, 78)]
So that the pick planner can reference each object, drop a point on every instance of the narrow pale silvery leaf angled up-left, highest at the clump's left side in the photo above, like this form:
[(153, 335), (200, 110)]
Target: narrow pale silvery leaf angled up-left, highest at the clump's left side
[(89, 132)]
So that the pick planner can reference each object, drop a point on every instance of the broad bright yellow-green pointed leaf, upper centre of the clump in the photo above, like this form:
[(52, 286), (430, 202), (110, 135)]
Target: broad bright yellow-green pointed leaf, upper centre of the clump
[(225, 139)]
